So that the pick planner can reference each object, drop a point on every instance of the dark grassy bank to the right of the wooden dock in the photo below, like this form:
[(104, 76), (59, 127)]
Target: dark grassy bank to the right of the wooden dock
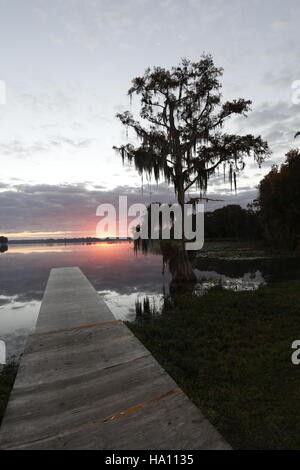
[(231, 353)]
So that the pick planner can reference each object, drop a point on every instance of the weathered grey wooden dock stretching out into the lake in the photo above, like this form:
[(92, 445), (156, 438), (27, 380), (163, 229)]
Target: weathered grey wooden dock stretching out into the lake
[(86, 382)]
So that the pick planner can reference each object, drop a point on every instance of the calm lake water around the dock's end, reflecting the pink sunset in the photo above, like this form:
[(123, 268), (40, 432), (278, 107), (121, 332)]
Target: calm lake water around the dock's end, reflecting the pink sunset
[(115, 271)]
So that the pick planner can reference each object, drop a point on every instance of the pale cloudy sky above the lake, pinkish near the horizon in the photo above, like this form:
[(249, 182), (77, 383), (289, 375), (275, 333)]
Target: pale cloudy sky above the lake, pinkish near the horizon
[(67, 65)]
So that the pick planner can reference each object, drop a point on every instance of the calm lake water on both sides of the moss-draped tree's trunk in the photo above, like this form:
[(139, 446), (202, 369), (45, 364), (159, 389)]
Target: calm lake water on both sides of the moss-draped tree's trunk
[(118, 275)]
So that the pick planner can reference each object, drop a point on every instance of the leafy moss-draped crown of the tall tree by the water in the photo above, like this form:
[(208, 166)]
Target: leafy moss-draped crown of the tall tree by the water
[(180, 130)]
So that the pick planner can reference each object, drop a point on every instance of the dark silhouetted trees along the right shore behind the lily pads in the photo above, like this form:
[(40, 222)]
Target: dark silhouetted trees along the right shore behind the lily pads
[(273, 217)]
